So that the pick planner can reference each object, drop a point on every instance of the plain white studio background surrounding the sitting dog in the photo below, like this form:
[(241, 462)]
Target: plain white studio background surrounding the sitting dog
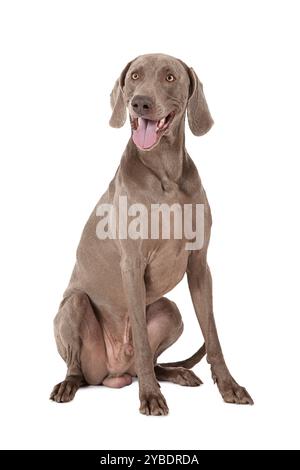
[(59, 61)]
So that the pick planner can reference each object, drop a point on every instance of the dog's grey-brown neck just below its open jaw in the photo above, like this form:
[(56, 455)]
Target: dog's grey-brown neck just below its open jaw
[(167, 158)]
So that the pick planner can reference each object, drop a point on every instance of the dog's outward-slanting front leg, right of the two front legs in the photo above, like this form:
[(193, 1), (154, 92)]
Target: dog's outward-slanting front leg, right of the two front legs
[(200, 284)]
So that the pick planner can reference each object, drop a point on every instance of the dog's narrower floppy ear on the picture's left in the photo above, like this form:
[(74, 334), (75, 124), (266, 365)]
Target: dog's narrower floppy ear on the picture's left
[(117, 101)]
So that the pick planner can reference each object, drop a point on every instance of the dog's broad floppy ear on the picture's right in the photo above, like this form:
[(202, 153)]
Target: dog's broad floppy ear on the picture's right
[(199, 118)]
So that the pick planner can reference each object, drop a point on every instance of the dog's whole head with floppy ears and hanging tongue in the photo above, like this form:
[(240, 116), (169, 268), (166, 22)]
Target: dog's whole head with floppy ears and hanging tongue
[(157, 90)]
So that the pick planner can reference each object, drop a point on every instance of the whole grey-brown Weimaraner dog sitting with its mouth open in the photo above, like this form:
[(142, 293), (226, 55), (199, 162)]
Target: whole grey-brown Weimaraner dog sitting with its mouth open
[(114, 320)]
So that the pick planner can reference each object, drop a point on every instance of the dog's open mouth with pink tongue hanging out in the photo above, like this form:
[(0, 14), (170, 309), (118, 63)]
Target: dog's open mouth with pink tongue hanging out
[(146, 133)]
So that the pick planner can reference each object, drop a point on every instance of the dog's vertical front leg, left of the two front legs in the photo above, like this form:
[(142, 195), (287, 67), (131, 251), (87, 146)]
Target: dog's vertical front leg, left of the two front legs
[(152, 402)]
